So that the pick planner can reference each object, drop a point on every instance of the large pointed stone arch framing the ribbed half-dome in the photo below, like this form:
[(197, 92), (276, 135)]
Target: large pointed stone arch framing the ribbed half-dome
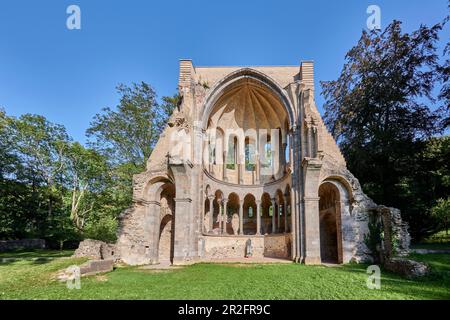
[(246, 73)]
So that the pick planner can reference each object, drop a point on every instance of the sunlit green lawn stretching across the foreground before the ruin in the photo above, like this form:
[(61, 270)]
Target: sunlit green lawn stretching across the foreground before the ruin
[(32, 279)]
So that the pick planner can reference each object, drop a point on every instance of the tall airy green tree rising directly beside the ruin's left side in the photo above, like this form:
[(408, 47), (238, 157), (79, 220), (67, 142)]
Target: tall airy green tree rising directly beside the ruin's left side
[(126, 136)]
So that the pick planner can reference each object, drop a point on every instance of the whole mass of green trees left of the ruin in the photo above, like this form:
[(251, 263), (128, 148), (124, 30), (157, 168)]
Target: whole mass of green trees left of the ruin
[(59, 190)]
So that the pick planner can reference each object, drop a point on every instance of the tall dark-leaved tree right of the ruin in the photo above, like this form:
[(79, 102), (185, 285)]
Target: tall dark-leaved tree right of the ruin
[(379, 109)]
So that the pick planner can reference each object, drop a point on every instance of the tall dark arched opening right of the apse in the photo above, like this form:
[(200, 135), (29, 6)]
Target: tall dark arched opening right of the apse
[(330, 223)]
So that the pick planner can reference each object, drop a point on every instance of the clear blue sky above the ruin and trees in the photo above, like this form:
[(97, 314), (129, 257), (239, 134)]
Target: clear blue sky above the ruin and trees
[(69, 75)]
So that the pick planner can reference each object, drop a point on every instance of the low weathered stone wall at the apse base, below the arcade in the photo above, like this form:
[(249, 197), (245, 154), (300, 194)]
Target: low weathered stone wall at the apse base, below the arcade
[(231, 247)]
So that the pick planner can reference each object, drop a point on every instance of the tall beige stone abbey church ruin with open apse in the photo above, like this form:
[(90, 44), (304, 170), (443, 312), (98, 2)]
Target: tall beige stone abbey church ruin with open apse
[(247, 168)]
